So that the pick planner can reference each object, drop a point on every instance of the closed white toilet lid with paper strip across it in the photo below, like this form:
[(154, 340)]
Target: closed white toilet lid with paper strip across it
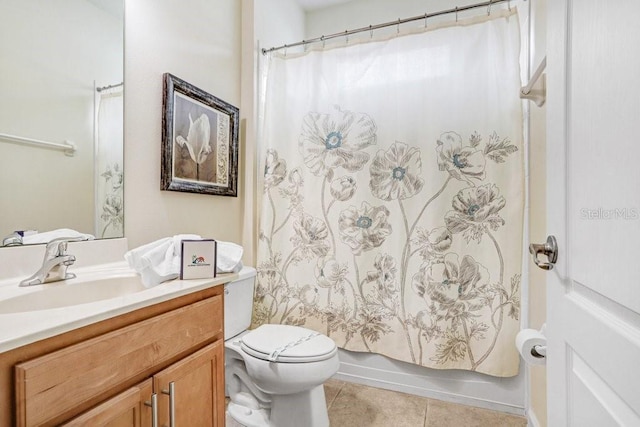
[(286, 343)]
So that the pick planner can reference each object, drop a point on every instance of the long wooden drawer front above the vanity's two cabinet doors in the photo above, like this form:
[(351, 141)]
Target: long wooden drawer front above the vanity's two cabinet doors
[(54, 386)]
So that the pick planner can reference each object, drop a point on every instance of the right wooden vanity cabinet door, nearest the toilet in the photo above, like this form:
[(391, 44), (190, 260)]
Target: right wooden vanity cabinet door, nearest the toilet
[(197, 382)]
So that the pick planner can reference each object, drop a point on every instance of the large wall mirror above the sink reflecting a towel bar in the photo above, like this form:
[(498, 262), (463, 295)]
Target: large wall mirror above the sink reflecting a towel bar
[(61, 116)]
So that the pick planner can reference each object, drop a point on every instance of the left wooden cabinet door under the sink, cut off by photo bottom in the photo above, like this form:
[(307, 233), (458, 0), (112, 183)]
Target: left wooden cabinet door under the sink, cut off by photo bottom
[(126, 409)]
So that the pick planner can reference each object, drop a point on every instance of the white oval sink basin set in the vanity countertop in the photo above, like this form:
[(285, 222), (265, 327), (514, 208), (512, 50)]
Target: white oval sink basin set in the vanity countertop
[(71, 292)]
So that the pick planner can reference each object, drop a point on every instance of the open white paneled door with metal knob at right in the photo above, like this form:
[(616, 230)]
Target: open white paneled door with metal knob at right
[(593, 196)]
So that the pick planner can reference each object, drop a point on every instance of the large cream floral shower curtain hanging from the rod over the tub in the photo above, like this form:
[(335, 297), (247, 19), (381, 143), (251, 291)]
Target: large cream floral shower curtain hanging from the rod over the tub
[(392, 212)]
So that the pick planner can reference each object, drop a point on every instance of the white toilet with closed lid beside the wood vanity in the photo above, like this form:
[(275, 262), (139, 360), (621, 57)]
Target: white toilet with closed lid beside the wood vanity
[(274, 373)]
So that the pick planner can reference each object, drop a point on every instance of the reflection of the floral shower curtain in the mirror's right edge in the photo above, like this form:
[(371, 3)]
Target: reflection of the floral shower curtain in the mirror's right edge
[(109, 212)]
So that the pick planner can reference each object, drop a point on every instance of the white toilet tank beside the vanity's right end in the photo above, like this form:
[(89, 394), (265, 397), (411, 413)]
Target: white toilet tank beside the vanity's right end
[(238, 302)]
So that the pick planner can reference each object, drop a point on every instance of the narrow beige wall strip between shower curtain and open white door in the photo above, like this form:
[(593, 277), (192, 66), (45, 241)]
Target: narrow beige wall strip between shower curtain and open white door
[(537, 212)]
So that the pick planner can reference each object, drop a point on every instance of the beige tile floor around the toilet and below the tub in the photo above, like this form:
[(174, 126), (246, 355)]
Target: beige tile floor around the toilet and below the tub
[(355, 405)]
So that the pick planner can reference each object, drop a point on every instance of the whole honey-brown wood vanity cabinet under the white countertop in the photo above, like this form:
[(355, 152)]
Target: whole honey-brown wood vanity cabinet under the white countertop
[(108, 376)]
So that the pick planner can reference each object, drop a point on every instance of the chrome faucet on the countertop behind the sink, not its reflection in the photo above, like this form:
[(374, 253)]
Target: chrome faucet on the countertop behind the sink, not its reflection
[(55, 263)]
